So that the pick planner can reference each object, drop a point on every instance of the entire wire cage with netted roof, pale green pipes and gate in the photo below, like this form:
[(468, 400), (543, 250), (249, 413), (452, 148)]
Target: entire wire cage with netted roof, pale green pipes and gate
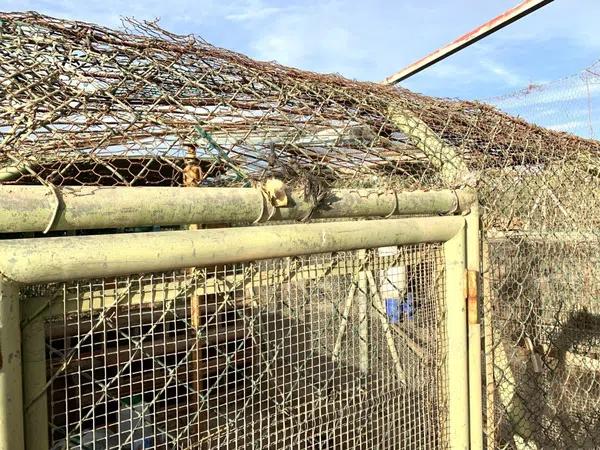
[(109, 137)]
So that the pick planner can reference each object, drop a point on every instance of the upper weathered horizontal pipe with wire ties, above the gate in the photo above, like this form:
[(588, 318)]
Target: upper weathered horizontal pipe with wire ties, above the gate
[(38, 208)]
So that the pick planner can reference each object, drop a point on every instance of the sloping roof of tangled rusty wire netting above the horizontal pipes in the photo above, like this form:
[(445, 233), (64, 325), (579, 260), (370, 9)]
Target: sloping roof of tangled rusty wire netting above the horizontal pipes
[(84, 104)]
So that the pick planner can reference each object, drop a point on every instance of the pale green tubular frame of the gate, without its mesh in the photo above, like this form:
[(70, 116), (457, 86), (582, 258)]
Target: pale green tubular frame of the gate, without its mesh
[(39, 260)]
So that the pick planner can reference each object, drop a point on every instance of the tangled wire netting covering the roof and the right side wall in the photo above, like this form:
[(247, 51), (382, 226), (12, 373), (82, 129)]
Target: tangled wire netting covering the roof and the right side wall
[(82, 104)]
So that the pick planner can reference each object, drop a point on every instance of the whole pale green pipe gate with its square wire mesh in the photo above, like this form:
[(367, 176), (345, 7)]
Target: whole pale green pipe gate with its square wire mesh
[(336, 334)]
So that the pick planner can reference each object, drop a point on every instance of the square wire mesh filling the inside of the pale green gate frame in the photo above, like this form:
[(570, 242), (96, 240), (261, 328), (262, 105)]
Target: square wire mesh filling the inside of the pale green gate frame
[(257, 355)]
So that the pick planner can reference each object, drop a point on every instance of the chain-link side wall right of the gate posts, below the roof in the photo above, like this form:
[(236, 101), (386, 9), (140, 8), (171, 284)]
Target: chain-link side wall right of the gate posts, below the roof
[(541, 316)]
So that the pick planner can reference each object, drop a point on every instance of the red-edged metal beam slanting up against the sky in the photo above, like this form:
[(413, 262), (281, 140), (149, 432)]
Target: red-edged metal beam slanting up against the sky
[(521, 10)]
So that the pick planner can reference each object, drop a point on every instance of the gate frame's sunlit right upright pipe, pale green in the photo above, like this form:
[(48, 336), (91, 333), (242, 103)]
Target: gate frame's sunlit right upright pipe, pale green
[(457, 394)]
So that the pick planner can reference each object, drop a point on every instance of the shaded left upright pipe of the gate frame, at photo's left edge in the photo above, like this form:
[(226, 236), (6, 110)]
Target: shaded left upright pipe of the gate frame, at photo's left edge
[(11, 386)]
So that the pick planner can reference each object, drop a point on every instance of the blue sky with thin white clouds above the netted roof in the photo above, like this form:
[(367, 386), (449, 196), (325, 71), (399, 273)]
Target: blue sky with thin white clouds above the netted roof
[(369, 40)]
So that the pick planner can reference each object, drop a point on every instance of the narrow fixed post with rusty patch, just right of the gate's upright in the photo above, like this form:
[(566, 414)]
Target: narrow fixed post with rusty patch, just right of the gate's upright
[(474, 327)]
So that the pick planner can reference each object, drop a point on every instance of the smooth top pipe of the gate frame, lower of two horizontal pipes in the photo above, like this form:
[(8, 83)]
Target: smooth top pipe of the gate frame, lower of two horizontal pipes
[(75, 257)]
